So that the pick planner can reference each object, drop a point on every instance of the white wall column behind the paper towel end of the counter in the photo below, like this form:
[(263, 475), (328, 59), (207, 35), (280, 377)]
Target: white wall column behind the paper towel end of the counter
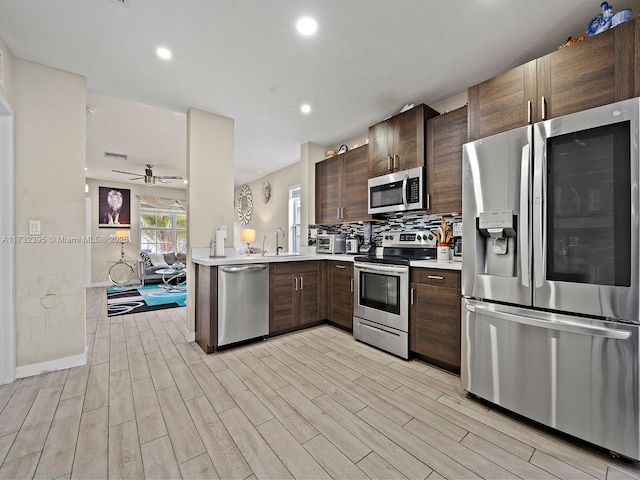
[(210, 169)]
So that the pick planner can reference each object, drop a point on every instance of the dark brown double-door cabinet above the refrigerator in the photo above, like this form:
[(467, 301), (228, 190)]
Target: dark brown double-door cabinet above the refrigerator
[(594, 72)]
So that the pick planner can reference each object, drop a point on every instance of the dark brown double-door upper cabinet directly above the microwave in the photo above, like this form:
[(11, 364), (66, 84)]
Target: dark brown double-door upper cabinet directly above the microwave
[(398, 143)]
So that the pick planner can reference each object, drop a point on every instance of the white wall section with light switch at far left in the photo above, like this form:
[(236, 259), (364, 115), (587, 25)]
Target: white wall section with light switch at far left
[(49, 187)]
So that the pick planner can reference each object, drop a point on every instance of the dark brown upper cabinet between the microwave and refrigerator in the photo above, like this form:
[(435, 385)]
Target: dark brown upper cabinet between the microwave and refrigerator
[(446, 134)]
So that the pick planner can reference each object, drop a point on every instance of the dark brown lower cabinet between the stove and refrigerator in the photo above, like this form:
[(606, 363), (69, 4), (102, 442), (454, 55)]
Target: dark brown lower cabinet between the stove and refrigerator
[(434, 331)]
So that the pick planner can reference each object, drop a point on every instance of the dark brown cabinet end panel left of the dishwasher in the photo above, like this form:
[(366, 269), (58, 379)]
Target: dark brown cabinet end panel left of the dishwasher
[(206, 309)]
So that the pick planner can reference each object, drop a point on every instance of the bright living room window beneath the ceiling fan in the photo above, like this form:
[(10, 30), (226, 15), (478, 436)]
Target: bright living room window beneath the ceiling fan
[(163, 229)]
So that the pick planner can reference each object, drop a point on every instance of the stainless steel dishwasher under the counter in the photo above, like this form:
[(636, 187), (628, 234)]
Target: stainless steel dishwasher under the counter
[(243, 302)]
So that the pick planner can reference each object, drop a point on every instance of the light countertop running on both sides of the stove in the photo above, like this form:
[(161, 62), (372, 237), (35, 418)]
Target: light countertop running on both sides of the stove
[(201, 257)]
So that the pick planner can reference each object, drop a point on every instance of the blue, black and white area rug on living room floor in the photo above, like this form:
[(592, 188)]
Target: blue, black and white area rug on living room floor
[(126, 300)]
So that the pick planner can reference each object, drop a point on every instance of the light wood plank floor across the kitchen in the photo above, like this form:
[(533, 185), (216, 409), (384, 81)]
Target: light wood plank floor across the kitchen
[(313, 404)]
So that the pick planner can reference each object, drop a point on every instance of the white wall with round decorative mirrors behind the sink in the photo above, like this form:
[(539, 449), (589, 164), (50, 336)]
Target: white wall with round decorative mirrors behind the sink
[(267, 217)]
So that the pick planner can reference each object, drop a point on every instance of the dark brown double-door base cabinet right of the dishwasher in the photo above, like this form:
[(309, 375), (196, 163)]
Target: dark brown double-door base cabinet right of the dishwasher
[(295, 291)]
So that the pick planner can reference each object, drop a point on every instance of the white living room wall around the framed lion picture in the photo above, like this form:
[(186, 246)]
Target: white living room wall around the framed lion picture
[(105, 252)]
